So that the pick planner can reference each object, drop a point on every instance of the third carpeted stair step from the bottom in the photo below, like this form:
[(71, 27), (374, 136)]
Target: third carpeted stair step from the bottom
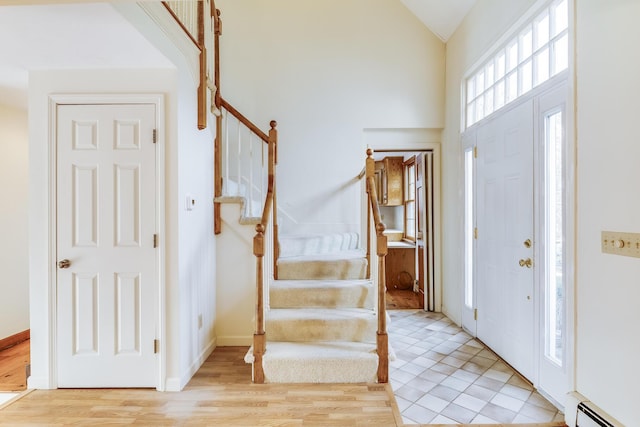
[(321, 293)]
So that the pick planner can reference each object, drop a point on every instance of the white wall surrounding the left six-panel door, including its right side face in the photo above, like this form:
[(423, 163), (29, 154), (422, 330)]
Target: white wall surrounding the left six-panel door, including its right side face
[(190, 243)]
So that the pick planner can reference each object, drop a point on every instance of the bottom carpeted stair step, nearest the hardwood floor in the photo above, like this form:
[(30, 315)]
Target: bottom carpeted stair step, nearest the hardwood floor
[(320, 362)]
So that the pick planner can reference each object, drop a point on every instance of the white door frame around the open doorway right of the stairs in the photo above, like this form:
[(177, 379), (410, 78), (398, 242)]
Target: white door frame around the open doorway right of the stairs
[(434, 147)]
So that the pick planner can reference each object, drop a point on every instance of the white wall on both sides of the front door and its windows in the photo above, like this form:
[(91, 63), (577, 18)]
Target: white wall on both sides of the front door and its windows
[(608, 88)]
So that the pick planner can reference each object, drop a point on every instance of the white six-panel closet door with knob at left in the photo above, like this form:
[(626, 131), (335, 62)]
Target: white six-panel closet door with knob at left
[(107, 269)]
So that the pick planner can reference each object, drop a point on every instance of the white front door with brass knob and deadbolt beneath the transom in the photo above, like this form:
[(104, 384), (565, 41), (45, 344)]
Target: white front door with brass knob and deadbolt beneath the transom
[(505, 233)]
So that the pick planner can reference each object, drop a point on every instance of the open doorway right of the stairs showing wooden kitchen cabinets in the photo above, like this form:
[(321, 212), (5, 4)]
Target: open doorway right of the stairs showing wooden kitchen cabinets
[(405, 186)]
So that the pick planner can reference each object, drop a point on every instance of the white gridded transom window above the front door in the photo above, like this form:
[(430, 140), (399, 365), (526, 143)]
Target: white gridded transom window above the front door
[(516, 59)]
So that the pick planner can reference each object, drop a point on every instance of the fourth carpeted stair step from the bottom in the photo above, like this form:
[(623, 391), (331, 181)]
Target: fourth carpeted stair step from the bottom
[(345, 265)]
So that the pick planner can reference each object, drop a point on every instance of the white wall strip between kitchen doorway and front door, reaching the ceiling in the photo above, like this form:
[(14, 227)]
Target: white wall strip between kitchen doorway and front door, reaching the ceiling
[(482, 27)]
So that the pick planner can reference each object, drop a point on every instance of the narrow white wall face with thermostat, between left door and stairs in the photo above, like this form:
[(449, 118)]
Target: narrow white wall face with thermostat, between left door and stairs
[(196, 240)]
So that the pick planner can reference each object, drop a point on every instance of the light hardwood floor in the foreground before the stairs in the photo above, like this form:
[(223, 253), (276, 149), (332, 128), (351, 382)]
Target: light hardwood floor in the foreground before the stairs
[(220, 394)]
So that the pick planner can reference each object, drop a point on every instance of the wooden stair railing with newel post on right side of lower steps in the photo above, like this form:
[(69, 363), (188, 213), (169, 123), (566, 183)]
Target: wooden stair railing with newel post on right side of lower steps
[(373, 214)]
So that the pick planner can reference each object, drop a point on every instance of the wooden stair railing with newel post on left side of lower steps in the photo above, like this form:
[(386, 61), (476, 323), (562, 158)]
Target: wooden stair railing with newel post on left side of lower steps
[(265, 269)]
